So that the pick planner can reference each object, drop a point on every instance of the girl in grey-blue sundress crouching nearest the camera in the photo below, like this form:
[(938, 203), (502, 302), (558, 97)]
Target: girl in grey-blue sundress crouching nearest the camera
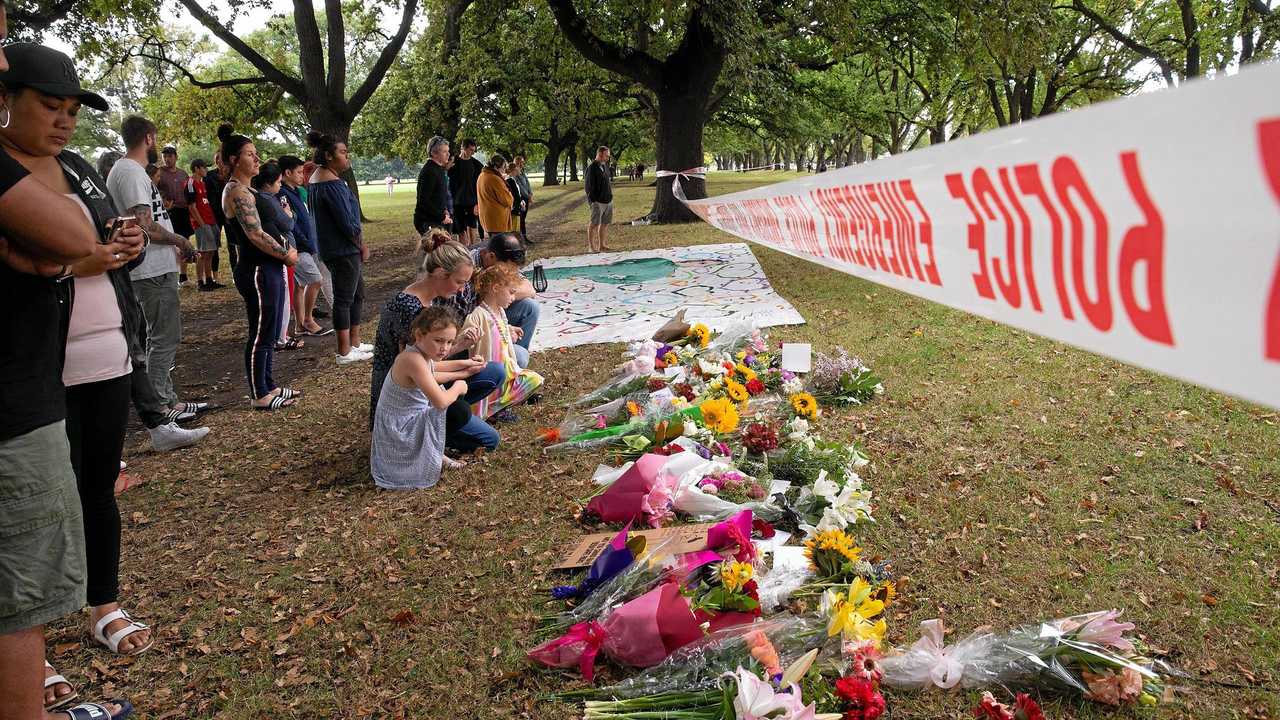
[(412, 422)]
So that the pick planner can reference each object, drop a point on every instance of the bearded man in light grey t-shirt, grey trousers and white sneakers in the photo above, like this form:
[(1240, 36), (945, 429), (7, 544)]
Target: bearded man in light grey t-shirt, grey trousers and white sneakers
[(156, 280)]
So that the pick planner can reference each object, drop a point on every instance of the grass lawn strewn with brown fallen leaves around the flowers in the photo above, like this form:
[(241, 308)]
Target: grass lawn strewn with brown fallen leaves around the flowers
[(1017, 480)]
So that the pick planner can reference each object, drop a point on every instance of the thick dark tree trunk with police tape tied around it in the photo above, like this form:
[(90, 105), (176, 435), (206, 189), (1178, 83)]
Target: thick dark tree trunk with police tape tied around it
[(682, 120)]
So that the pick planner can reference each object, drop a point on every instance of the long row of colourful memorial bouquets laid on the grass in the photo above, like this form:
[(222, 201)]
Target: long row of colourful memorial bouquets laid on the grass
[(783, 614)]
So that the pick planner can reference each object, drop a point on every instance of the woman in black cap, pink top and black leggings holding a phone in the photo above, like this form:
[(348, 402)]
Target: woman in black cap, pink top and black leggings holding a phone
[(42, 99)]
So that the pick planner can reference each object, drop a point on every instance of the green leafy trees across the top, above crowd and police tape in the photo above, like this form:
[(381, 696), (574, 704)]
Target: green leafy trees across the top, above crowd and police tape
[(675, 85)]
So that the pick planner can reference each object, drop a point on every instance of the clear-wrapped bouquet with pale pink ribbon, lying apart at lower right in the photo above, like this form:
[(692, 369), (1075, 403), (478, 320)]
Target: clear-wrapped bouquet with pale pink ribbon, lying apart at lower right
[(1086, 655)]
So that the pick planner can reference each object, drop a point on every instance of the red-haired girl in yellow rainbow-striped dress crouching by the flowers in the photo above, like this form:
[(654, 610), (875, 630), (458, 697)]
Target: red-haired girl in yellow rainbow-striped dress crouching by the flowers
[(496, 288)]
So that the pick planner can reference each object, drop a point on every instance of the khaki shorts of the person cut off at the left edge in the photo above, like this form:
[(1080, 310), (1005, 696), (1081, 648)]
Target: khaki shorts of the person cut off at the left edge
[(42, 532)]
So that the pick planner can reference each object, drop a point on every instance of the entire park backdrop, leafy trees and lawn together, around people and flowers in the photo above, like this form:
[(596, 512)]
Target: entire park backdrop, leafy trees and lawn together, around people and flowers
[(1021, 479)]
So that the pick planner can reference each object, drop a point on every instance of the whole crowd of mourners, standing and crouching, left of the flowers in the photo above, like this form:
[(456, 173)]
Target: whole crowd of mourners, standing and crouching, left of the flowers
[(92, 265)]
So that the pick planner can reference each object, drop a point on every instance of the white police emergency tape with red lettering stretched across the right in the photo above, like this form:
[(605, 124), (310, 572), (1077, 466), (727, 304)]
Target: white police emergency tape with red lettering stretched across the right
[(1146, 230)]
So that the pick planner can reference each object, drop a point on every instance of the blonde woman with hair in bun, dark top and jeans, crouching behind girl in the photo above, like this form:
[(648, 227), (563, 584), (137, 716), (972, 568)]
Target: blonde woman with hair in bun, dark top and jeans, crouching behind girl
[(446, 268)]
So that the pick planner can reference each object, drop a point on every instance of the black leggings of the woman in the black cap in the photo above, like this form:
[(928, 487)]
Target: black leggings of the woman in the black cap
[(97, 416)]
